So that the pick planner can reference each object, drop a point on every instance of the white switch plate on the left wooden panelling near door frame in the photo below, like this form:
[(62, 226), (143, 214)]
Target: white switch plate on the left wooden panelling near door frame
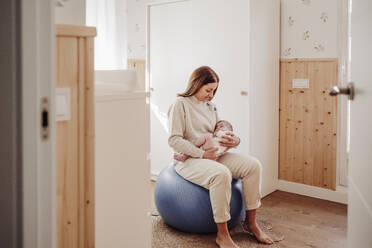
[(63, 104)]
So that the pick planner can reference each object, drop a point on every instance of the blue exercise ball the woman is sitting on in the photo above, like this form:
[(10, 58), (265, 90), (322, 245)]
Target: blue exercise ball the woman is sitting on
[(187, 207)]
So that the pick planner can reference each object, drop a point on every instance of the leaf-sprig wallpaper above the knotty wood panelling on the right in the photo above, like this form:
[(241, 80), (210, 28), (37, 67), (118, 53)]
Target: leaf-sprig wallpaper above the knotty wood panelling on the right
[(309, 28)]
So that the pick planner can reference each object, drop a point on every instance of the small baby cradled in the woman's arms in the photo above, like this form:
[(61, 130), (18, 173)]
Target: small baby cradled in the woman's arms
[(209, 140)]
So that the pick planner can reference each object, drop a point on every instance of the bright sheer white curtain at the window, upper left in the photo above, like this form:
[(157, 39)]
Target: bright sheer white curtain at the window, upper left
[(109, 17)]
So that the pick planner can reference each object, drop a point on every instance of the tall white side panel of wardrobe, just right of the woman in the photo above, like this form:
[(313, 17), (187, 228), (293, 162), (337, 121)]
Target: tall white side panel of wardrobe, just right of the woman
[(264, 88)]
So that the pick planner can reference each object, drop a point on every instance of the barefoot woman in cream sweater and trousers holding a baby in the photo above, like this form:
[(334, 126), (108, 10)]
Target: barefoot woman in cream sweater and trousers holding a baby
[(193, 115)]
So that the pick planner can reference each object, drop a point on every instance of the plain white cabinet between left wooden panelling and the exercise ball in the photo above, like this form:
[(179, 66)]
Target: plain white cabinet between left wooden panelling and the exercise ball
[(122, 171)]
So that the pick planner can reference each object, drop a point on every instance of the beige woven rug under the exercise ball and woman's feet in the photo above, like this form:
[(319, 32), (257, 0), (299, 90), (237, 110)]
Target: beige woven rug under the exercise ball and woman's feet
[(164, 236)]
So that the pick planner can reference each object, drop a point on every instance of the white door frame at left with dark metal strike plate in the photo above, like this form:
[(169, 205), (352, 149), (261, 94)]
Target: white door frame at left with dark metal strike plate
[(39, 155)]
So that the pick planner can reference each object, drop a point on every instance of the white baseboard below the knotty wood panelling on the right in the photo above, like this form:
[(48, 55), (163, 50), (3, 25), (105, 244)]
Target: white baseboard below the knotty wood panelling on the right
[(339, 195)]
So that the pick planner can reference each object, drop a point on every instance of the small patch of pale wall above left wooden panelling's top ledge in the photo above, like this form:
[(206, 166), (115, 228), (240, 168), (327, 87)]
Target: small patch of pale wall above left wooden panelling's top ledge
[(72, 12)]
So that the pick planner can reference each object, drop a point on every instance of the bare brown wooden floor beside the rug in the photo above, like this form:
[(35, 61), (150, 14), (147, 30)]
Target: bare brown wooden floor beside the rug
[(304, 221)]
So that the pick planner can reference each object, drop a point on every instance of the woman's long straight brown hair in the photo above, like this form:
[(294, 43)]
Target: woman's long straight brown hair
[(200, 77)]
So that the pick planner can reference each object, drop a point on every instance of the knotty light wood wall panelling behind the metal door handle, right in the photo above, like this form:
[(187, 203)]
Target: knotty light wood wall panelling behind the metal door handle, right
[(308, 123)]
